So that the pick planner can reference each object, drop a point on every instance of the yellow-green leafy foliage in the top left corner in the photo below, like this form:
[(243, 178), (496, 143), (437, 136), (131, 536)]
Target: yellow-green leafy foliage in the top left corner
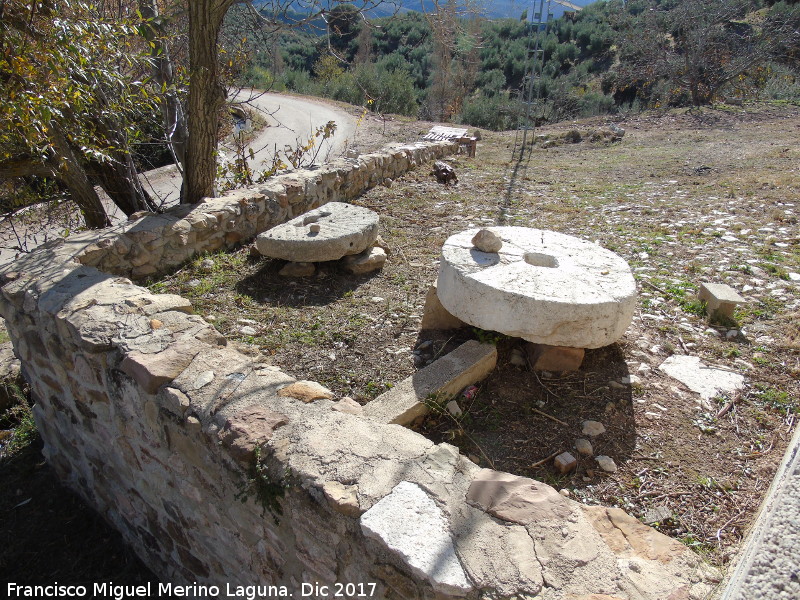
[(67, 69)]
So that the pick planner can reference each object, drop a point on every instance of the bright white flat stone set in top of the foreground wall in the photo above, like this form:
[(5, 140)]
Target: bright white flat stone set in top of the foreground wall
[(411, 525)]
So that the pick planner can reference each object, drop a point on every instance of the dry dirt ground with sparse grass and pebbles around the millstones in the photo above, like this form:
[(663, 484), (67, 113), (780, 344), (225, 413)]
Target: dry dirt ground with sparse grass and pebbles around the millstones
[(685, 197)]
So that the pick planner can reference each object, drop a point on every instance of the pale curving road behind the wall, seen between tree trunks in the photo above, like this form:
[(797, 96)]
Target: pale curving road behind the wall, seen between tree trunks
[(290, 119)]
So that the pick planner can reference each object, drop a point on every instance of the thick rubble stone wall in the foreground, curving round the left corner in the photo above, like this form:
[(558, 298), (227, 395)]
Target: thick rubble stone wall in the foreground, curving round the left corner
[(219, 469)]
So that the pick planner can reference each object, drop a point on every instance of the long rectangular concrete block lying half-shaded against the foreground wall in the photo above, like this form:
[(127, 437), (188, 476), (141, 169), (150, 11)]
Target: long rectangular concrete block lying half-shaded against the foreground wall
[(469, 363)]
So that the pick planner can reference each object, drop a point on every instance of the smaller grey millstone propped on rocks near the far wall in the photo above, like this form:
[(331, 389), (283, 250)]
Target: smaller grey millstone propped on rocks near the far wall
[(326, 233)]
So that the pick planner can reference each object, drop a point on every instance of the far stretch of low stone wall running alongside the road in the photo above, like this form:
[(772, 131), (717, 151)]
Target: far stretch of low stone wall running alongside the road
[(153, 244)]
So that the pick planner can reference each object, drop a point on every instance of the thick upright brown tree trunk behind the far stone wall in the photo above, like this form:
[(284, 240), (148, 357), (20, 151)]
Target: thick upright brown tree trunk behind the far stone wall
[(206, 96)]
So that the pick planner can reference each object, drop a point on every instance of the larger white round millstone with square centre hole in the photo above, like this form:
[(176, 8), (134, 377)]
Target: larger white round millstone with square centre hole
[(542, 286)]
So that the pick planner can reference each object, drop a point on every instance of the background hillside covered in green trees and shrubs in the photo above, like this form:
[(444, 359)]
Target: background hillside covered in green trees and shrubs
[(609, 58)]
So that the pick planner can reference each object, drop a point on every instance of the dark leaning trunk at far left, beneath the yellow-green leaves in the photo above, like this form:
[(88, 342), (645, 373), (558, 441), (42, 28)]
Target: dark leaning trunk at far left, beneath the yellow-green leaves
[(70, 172)]
